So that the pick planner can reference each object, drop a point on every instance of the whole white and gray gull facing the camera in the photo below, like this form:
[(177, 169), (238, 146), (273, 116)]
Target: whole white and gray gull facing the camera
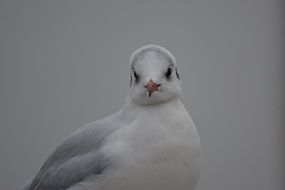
[(151, 143)]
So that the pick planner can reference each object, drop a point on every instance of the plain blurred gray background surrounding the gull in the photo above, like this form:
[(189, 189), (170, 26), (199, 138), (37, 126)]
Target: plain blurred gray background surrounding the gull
[(65, 64)]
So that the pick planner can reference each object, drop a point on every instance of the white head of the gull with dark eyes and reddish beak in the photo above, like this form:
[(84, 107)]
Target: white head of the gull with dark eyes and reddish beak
[(154, 77)]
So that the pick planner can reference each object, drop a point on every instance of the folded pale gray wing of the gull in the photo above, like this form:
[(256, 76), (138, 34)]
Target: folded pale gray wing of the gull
[(77, 158)]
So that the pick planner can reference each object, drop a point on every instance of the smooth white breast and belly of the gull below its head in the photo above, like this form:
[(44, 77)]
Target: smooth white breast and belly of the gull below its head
[(159, 149)]
